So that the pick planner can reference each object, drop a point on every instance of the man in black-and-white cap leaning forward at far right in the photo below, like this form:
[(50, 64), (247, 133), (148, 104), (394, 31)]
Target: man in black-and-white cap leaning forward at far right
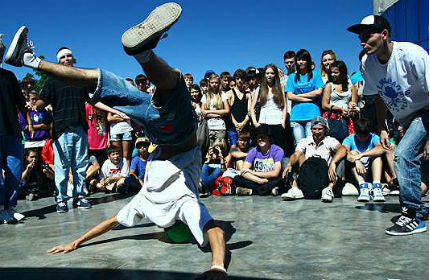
[(399, 73)]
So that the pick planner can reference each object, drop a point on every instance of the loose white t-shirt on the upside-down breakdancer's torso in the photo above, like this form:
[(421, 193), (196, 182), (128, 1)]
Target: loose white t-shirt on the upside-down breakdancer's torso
[(170, 193)]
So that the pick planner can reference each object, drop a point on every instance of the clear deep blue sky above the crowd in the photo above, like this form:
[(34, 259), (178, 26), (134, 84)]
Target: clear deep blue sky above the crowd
[(219, 35)]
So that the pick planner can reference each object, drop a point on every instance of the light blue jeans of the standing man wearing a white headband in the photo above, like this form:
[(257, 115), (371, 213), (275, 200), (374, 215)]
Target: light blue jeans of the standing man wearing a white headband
[(70, 152)]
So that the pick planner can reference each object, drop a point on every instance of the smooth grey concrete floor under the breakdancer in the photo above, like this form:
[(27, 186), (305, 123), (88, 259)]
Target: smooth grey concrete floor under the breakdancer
[(267, 239)]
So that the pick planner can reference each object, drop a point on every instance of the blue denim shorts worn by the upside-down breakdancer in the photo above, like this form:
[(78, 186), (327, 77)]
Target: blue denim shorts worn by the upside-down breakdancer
[(173, 123)]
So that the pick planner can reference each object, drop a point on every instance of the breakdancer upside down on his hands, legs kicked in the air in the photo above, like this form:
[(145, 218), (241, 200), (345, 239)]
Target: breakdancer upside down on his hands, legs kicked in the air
[(170, 190)]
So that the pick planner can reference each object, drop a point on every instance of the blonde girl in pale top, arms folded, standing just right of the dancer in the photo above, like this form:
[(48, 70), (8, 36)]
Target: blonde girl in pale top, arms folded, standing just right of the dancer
[(215, 109)]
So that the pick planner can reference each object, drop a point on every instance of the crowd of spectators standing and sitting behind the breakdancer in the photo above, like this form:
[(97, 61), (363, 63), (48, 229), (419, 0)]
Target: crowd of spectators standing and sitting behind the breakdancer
[(306, 132)]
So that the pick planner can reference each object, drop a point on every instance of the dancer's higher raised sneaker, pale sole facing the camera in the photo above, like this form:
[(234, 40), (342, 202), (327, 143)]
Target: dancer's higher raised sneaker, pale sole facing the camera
[(145, 35)]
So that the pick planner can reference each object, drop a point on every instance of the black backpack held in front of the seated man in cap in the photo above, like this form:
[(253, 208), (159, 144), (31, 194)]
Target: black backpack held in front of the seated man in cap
[(313, 177)]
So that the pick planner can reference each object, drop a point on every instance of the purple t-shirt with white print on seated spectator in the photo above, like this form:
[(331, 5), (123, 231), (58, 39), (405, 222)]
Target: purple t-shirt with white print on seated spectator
[(265, 162)]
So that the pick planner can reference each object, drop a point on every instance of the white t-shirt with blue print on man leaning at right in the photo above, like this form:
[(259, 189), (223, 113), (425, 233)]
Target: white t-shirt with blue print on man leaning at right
[(402, 82)]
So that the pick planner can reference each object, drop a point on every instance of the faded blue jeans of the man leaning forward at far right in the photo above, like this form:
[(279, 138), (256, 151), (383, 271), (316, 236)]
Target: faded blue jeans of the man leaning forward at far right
[(407, 164)]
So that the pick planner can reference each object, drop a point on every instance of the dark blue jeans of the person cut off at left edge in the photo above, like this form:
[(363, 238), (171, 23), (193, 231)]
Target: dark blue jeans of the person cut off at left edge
[(11, 155)]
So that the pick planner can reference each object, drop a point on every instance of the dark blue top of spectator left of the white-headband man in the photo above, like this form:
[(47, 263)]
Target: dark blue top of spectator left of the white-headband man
[(36, 118)]
